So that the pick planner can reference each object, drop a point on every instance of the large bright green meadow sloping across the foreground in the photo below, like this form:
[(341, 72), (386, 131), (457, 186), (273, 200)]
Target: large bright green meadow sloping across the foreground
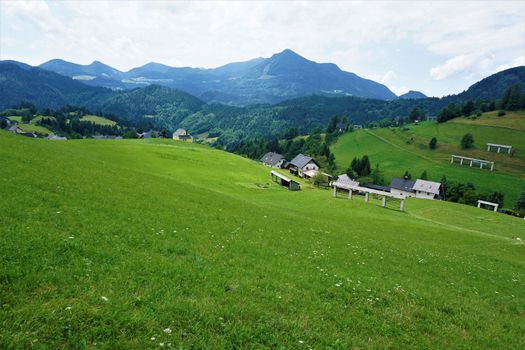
[(184, 237)]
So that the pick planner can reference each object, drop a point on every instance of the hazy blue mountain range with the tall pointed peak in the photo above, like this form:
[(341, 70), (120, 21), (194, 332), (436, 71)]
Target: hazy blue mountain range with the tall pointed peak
[(282, 76)]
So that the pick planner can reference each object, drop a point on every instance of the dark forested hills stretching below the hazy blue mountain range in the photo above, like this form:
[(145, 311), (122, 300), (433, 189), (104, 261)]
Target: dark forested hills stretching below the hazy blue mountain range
[(169, 108)]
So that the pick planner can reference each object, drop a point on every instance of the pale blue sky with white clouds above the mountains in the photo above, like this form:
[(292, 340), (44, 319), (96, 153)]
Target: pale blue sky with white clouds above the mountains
[(436, 47)]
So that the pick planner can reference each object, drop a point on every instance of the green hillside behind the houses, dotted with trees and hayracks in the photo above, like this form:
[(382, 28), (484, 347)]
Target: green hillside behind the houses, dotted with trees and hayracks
[(388, 147)]
